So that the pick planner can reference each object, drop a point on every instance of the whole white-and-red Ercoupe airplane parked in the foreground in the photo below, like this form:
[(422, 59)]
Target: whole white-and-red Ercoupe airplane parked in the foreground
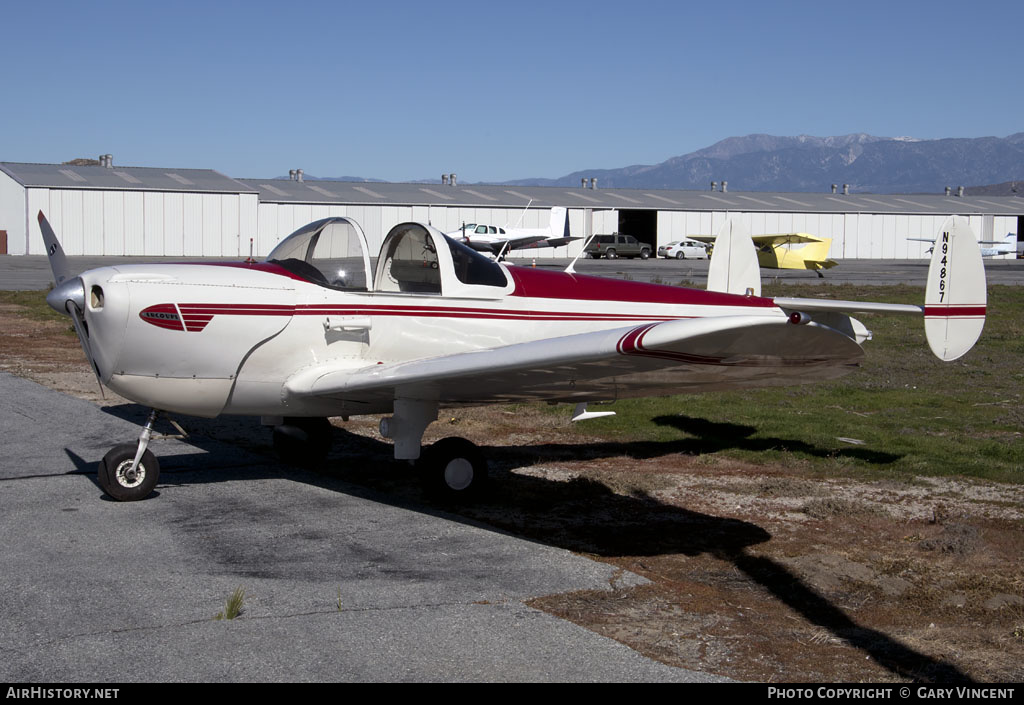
[(315, 333)]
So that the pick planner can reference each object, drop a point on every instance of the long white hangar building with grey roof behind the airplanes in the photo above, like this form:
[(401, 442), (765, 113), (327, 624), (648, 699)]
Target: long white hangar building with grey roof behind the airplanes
[(106, 211)]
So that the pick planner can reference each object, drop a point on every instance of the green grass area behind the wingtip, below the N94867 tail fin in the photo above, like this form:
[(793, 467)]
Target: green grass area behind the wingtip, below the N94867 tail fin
[(915, 414)]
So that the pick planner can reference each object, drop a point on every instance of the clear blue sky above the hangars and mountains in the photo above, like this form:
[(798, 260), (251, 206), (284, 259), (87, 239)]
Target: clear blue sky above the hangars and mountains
[(492, 92)]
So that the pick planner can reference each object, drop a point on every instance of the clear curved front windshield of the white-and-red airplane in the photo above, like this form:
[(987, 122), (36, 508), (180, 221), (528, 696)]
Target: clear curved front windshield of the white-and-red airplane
[(331, 253)]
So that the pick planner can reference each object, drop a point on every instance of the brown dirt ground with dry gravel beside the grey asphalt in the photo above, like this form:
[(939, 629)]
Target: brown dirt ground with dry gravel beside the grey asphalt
[(756, 572)]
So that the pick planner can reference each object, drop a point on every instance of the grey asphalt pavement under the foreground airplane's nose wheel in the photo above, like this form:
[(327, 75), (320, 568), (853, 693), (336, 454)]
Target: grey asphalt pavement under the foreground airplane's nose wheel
[(340, 585)]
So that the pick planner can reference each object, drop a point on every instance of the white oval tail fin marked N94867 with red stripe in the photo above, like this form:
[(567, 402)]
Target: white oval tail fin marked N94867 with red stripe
[(956, 297)]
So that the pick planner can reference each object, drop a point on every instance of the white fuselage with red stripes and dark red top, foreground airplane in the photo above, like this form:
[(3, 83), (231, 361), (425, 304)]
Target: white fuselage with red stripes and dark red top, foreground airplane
[(208, 340)]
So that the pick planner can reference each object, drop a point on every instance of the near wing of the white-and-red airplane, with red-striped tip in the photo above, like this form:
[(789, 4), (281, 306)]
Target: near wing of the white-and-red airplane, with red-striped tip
[(659, 358)]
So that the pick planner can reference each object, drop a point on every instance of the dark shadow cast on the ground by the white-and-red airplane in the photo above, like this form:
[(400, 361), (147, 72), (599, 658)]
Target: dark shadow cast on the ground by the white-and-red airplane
[(581, 515)]
